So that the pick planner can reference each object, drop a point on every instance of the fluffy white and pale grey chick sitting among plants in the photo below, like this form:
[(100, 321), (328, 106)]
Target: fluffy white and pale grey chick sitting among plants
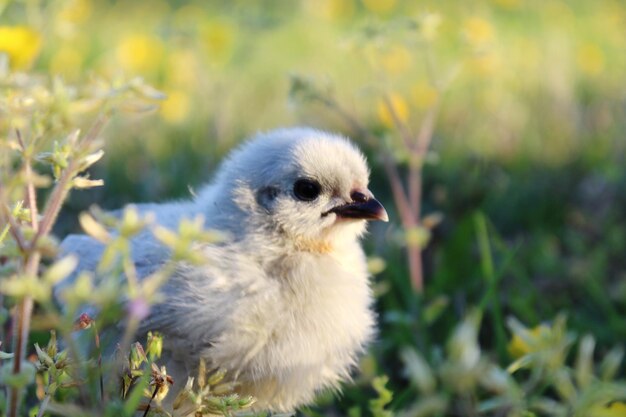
[(284, 304)]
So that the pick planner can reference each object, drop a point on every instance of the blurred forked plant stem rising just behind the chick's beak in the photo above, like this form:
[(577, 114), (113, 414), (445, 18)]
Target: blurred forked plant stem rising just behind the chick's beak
[(403, 149)]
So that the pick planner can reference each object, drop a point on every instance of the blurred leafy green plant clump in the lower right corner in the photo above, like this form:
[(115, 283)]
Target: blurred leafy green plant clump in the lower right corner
[(541, 379)]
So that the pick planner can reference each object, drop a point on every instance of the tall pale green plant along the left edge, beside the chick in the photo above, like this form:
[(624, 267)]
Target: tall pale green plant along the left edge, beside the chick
[(39, 154)]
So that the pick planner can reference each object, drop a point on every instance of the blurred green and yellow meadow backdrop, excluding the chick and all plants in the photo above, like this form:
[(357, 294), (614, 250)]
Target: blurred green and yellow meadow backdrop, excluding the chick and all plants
[(529, 139)]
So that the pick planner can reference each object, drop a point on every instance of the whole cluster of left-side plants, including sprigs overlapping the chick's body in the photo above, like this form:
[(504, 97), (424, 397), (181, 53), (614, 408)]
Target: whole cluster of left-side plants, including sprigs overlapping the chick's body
[(41, 164)]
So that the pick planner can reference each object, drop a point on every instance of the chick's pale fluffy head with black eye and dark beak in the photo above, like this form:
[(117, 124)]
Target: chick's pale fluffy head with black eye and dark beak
[(303, 185)]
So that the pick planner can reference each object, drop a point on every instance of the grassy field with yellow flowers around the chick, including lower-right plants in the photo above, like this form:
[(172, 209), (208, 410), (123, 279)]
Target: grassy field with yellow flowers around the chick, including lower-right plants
[(522, 212)]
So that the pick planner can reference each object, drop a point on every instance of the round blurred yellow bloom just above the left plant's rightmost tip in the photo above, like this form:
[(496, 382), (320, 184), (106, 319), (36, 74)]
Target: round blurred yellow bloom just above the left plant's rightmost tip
[(139, 53)]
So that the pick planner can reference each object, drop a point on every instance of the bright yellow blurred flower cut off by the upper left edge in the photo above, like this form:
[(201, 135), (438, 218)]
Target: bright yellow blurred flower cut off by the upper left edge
[(21, 44)]
